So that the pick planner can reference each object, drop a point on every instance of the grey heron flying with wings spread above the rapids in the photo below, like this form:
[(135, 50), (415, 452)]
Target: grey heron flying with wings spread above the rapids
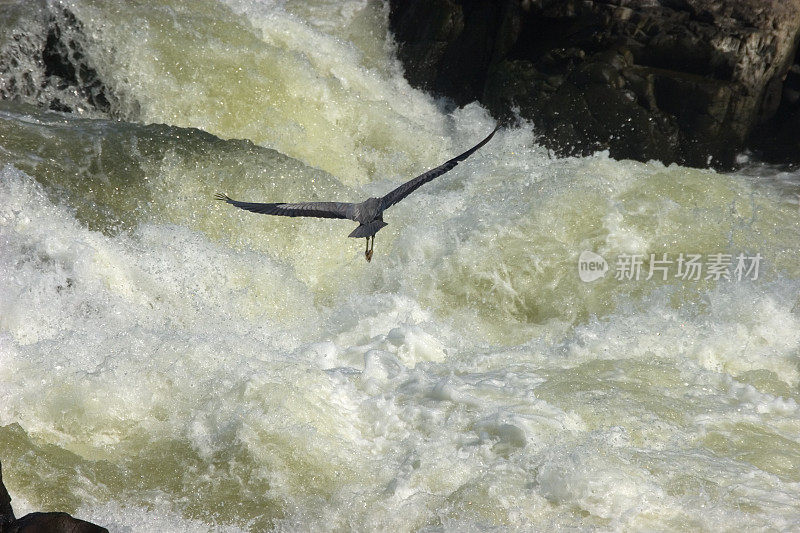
[(368, 214)]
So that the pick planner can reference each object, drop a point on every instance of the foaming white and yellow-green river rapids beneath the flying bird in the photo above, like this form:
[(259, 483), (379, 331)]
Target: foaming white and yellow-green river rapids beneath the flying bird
[(171, 363)]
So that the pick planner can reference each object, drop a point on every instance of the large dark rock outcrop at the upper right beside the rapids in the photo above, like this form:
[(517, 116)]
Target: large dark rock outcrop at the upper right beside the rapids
[(686, 81)]
